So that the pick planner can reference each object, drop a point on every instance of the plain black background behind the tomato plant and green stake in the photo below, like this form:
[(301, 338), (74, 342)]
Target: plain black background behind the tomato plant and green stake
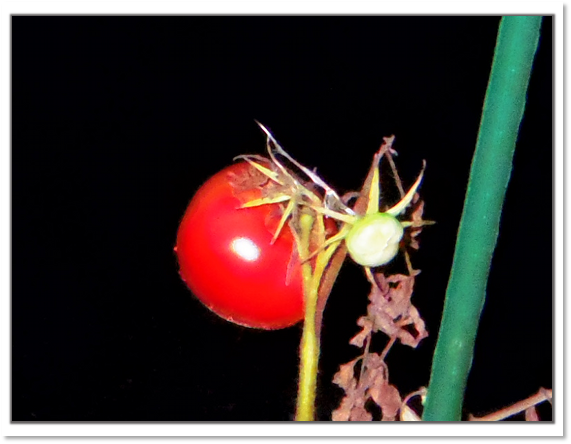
[(118, 120)]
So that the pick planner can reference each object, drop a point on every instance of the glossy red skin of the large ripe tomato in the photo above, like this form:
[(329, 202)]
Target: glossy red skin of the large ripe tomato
[(252, 293)]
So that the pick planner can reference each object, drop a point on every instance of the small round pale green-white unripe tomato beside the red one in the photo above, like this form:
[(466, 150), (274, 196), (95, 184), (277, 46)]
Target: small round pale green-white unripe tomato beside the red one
[(374, 239)]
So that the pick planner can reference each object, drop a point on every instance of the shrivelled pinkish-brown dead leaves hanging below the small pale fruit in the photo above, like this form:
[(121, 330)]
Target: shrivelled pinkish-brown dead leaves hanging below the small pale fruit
[(390, 311)]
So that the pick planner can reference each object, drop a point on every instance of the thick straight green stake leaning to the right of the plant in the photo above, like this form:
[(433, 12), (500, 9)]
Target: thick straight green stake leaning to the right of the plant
[(491, 168)]
